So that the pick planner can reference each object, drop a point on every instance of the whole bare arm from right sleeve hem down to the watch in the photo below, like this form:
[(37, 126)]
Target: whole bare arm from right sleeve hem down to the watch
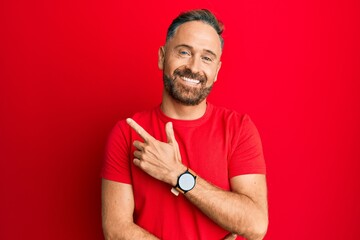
[(242, 211)]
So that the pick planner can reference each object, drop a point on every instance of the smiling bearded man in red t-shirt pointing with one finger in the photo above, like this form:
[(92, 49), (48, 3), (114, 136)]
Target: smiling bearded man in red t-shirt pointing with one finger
[(186, 169)]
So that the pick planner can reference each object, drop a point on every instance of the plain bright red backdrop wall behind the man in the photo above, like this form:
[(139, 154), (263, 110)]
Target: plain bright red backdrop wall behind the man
[(70, 69)]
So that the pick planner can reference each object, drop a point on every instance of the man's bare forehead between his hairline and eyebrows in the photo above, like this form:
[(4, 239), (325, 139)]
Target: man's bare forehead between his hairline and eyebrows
[(198, 35)]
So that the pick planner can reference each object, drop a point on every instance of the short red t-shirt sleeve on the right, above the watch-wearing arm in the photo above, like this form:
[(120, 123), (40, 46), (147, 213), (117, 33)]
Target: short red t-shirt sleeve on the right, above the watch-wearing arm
[(247, 156)]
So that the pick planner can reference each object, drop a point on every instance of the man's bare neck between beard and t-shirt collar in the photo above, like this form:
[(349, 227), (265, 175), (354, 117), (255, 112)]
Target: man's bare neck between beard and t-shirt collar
[(176, 110)]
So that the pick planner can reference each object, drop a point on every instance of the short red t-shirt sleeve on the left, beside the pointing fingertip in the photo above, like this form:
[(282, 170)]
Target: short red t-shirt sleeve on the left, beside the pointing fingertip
[(116, 165)]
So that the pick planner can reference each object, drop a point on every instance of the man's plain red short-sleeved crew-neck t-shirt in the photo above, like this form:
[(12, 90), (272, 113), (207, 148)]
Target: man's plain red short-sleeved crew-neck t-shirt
[(218, 146)]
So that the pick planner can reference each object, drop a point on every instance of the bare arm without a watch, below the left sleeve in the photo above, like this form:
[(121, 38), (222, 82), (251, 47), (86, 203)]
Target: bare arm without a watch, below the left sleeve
[(117, 212)]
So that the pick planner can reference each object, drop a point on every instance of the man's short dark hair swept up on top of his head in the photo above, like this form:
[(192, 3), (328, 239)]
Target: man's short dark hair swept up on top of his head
[(202, 15)]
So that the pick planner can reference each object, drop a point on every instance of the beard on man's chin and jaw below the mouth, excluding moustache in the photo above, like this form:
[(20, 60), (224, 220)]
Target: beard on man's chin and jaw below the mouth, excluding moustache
[(184, 94)]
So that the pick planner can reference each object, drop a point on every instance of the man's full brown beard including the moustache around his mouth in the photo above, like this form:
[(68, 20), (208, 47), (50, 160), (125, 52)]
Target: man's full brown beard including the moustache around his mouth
[(184, 94)]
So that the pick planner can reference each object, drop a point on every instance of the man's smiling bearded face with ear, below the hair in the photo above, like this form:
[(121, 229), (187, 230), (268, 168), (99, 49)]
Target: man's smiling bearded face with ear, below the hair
[(190, 62)]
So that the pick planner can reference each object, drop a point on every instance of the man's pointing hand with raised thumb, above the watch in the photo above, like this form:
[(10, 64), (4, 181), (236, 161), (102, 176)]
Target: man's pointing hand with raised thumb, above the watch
[(158, 159)]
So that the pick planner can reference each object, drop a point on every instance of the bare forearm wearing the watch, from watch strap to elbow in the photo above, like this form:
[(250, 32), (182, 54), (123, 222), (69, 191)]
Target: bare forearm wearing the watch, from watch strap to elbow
[(234, 212)]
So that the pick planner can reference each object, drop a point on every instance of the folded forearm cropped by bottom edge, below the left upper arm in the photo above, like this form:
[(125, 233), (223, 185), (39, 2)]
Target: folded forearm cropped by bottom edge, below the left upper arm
[(127, 231)]
